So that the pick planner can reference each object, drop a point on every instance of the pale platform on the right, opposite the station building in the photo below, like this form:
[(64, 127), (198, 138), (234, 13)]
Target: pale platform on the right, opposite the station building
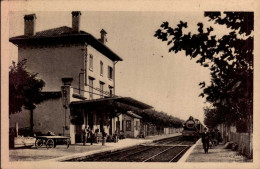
[(215, 154)]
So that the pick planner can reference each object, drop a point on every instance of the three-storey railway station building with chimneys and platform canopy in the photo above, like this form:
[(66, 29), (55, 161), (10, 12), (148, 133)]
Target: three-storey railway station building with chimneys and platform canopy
[(79, 74)]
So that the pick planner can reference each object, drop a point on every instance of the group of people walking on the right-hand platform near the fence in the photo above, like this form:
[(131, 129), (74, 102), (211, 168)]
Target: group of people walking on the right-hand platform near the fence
[(208, 138)]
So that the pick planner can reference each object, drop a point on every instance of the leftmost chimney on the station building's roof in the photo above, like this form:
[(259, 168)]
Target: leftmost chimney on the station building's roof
[(29, 24)]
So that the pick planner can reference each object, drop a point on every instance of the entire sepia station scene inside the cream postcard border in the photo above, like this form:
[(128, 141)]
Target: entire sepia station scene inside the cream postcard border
[(120, 86)]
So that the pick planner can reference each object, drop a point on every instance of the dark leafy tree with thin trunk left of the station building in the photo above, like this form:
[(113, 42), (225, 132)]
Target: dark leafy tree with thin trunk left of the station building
[(24, 90)]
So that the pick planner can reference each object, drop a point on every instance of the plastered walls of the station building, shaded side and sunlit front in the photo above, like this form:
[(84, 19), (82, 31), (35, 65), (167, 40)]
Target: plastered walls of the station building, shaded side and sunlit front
[(52, 64)]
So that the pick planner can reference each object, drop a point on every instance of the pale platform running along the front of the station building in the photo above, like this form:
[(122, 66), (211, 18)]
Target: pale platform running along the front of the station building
[(61, 153)]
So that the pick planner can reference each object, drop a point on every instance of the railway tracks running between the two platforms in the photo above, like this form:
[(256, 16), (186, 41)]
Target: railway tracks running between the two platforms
[(164, 150)]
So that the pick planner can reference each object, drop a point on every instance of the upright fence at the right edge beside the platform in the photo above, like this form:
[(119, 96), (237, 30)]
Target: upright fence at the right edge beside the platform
[(244, 141)]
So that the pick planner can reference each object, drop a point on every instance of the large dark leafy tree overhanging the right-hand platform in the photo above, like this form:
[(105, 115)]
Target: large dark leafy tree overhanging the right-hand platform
[(229, 58)]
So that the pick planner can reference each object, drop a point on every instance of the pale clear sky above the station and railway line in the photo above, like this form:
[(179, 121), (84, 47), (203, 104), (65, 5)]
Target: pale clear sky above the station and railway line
[(148, 72)]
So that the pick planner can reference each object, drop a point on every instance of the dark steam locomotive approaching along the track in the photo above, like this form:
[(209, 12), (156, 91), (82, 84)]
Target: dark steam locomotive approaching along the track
[(192, 128)]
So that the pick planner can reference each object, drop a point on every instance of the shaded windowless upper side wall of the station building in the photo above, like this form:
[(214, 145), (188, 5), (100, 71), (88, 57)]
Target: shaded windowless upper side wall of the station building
[(52, 64)]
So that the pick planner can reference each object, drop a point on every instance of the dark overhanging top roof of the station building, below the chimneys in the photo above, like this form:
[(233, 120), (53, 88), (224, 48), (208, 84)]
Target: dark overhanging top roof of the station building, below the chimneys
[(65, 33)]
